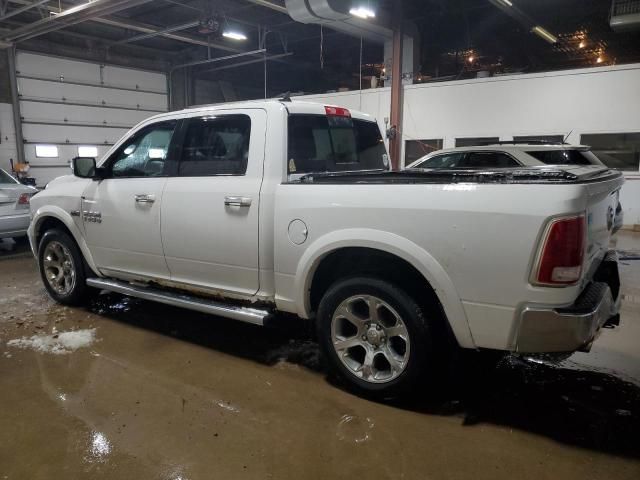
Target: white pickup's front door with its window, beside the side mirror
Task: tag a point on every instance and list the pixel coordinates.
(121, 214)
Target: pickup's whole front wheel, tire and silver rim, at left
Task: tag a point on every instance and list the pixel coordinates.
(62, 268)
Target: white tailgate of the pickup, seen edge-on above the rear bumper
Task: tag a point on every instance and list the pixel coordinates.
(603, 196)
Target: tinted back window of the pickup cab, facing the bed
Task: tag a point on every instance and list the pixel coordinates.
(320, 143)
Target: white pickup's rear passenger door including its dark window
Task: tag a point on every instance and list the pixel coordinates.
(209, 220)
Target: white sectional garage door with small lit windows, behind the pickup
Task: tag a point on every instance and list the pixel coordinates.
(74, 108)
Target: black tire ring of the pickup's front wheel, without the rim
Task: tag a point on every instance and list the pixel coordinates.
(79, 293)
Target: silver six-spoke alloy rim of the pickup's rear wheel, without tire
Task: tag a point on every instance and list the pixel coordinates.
(370, 338)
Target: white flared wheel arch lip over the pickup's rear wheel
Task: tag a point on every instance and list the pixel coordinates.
(389, 248)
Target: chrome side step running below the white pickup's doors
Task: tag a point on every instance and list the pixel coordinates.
(243, 314)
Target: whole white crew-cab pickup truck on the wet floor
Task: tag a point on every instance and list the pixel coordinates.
(250, 209)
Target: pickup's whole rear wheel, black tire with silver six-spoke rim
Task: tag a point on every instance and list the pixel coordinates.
(375, 337)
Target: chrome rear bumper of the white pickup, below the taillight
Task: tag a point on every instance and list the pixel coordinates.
(548, 329)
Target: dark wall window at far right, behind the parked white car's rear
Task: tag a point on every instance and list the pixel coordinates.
(615, 150)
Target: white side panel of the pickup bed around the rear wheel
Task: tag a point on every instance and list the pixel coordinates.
(475, 244)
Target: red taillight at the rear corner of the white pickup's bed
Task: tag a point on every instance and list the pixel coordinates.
(560, 262)
